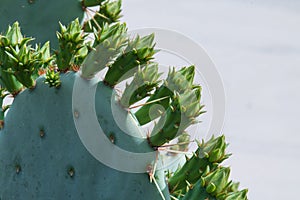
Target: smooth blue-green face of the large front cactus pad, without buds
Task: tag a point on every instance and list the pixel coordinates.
(43, 162)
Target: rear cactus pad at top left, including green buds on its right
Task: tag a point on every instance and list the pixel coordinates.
(39, 16)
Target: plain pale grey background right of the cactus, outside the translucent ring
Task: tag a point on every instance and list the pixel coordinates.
(255, 46)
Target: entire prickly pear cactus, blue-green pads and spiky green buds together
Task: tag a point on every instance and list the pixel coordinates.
(41, 153)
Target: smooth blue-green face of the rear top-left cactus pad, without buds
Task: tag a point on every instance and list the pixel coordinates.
(39, 18)
